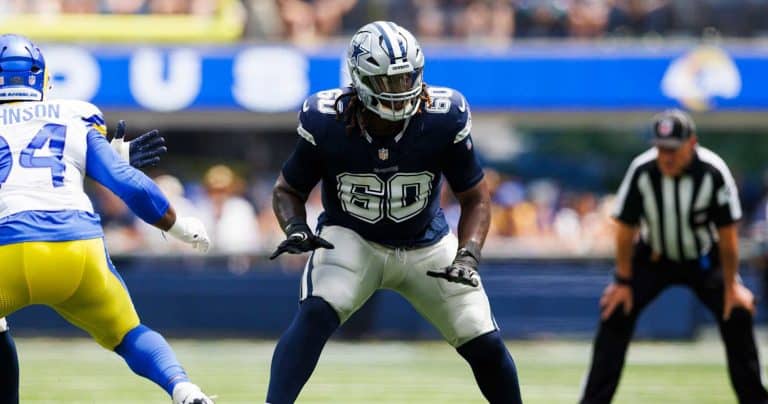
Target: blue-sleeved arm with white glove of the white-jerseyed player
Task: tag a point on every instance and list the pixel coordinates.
(139, 192)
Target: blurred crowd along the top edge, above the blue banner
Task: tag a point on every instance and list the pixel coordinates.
(309, 21)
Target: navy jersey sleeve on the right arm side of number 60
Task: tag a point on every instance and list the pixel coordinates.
(461, 165)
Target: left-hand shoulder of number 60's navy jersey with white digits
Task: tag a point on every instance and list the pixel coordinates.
(316, 113)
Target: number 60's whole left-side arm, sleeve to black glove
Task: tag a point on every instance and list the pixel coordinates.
(301, 172)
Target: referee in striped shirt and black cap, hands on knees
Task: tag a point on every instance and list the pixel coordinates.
(682, 200)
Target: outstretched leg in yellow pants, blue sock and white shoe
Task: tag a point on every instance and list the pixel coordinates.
(102, 307)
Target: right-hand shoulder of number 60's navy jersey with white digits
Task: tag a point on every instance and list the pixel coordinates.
(451, 110)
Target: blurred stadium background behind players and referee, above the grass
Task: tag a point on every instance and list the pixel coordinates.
(561, 93)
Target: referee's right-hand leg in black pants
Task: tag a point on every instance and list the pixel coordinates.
(738, 336)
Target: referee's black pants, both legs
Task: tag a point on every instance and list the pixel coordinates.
(649, 279)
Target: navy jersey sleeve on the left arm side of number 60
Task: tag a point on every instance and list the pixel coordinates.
(303, 169)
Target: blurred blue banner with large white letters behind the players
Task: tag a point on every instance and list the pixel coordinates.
(543, 77)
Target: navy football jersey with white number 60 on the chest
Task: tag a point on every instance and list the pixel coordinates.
(387, 189)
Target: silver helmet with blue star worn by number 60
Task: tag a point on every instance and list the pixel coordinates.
(386, 65)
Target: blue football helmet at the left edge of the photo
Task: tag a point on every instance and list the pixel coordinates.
(23, 76)
